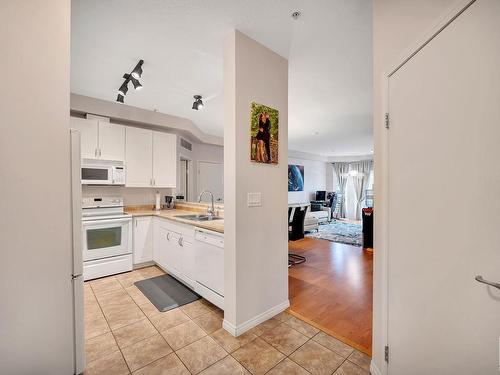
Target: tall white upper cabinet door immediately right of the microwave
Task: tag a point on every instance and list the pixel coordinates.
(138, 156)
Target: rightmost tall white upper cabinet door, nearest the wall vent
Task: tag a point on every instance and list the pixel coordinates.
(164, 160)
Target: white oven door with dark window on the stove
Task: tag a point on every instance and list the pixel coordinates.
(106, 238)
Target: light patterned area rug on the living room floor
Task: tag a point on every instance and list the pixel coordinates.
(339, 231)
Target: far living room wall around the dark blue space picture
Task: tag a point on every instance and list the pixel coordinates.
(315, 178)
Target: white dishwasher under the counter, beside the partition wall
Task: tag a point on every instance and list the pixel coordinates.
(209, 261)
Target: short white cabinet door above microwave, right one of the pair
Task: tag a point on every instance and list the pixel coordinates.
(111, 141)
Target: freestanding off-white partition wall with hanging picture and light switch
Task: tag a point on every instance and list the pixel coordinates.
(256, 240)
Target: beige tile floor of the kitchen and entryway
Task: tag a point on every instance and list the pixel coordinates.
(126, 334)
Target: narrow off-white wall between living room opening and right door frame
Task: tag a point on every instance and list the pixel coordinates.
(397, 25)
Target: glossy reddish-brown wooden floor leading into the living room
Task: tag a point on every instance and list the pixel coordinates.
(333, 290)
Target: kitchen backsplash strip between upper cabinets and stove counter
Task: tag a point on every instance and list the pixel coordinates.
(131, 196)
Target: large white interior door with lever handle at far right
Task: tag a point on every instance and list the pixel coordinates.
(444, 201)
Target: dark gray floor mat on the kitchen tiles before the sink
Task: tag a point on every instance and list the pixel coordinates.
(165, 292)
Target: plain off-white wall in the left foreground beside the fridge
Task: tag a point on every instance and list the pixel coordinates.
(35, 225)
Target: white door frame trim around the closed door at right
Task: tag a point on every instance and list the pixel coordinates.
(382, 194)
